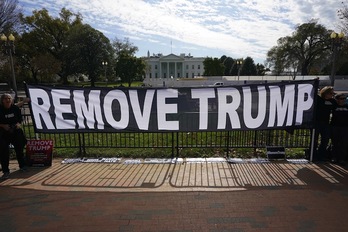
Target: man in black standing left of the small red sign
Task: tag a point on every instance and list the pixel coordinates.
(10, 133)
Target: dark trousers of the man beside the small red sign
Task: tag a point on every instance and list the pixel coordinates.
(18, 140)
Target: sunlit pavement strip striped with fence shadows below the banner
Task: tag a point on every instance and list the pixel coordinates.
(178, 176)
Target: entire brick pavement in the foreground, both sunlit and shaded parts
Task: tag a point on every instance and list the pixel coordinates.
(187, 196)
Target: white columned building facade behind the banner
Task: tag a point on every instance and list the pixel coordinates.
(173, 66)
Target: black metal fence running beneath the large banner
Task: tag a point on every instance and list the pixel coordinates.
(175, 141)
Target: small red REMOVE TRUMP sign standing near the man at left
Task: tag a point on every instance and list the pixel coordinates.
(39, 152)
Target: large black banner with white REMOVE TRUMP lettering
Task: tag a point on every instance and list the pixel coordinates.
(247, 107)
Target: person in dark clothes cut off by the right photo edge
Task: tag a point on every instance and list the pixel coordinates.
(339, 124)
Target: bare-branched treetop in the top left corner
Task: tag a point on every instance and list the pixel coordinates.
(9, 15)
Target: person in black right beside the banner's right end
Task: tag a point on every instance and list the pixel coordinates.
(325, 104)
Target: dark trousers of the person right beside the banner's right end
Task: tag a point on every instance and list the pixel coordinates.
(324, 130)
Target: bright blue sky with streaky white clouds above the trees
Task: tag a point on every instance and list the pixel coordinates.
(201, 28)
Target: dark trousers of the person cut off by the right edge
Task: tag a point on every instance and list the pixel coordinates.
(340, 143)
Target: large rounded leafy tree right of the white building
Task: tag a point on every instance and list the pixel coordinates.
(306, 48)
